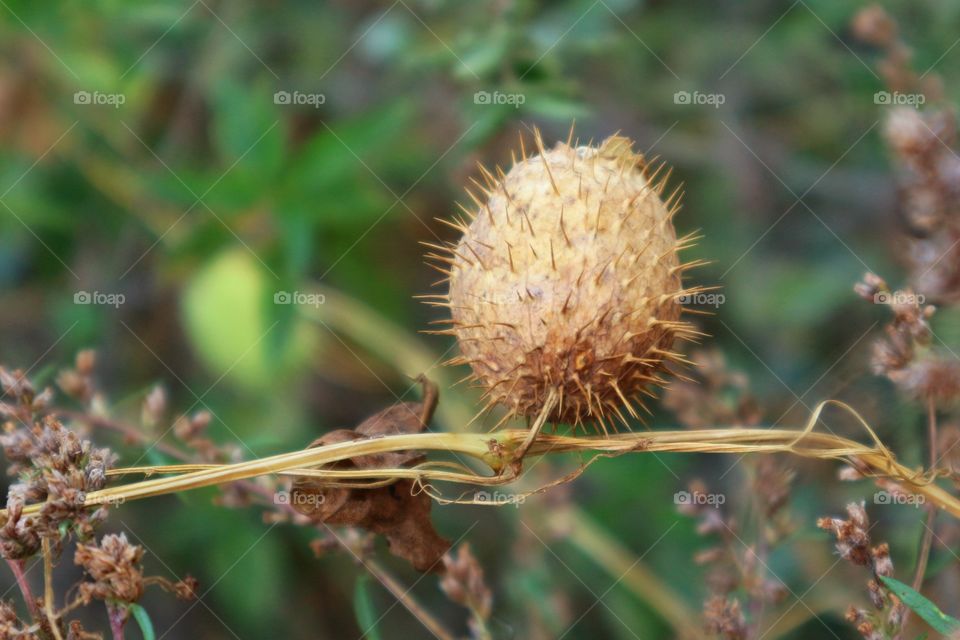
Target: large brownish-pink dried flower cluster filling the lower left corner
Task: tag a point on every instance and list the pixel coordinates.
(56, 468)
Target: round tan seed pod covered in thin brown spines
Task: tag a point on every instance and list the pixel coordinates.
(565, 288)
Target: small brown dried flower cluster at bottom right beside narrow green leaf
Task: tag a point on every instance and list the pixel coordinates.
(886, 620)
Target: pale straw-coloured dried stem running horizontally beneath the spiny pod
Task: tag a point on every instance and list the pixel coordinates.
(498, 451)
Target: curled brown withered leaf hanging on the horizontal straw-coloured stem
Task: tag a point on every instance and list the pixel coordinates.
(394, 510)
